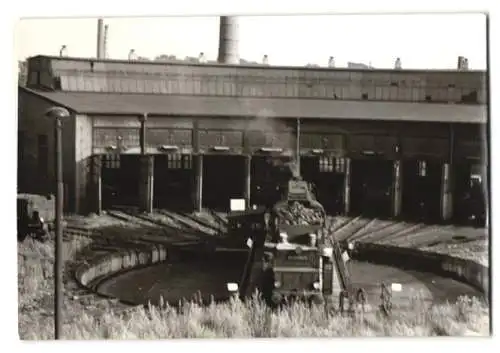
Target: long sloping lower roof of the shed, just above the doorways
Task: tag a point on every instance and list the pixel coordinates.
(155, 104)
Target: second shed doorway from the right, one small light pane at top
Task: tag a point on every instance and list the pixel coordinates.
(421, 198)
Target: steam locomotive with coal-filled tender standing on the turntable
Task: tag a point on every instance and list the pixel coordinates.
(303, 261)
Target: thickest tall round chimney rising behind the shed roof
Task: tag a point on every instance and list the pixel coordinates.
(228, 41)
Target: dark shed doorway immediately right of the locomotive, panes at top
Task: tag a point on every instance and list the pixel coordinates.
(327, 175)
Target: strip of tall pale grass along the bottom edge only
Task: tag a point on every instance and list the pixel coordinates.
(246, 320)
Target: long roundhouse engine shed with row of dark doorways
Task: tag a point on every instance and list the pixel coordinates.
(380, 143)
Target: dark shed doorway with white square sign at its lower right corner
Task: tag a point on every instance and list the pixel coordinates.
(223, 179)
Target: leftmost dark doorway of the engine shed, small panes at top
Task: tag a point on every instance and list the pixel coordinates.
(120, 180)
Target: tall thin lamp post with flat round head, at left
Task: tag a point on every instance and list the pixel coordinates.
(58, 114)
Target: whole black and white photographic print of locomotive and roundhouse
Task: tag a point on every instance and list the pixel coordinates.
(251, 176)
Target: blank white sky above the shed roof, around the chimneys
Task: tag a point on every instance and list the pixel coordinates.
(421, 41)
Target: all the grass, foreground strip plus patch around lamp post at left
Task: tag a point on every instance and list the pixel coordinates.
(91, 319)
